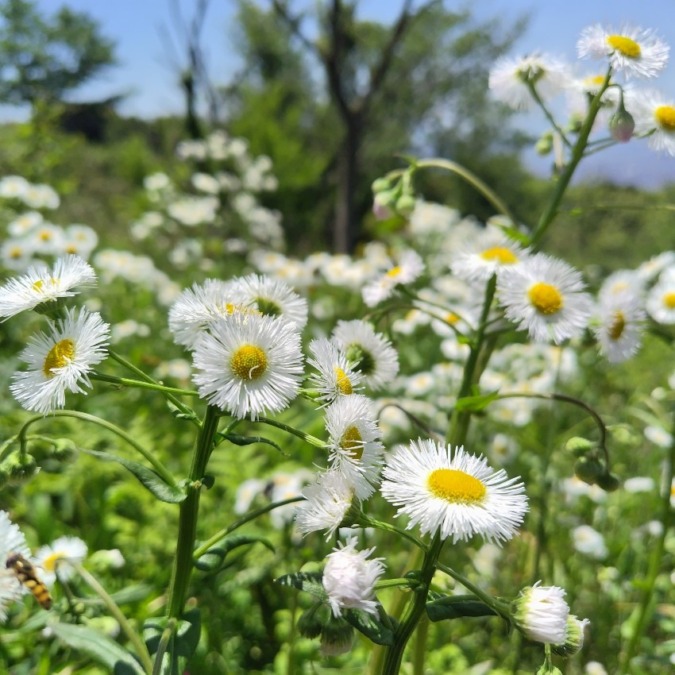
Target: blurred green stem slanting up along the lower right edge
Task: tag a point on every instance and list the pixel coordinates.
(646, 607)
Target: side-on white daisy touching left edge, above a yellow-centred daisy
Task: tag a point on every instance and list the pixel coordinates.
(41, 284)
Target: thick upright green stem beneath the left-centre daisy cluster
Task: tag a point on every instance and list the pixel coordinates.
(189, 510)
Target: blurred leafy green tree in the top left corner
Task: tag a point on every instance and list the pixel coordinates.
(41, 59)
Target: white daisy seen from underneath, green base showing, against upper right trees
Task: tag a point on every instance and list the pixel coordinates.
(511, 78)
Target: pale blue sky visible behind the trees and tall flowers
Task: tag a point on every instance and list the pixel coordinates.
(146, 72)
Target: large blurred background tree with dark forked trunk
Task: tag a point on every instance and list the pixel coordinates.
(370, 90)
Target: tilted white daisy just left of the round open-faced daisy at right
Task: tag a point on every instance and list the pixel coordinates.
(490, 253)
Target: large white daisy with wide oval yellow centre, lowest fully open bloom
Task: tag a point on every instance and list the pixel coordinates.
(453, 493)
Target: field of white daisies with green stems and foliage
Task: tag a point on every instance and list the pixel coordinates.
(224, 450)
